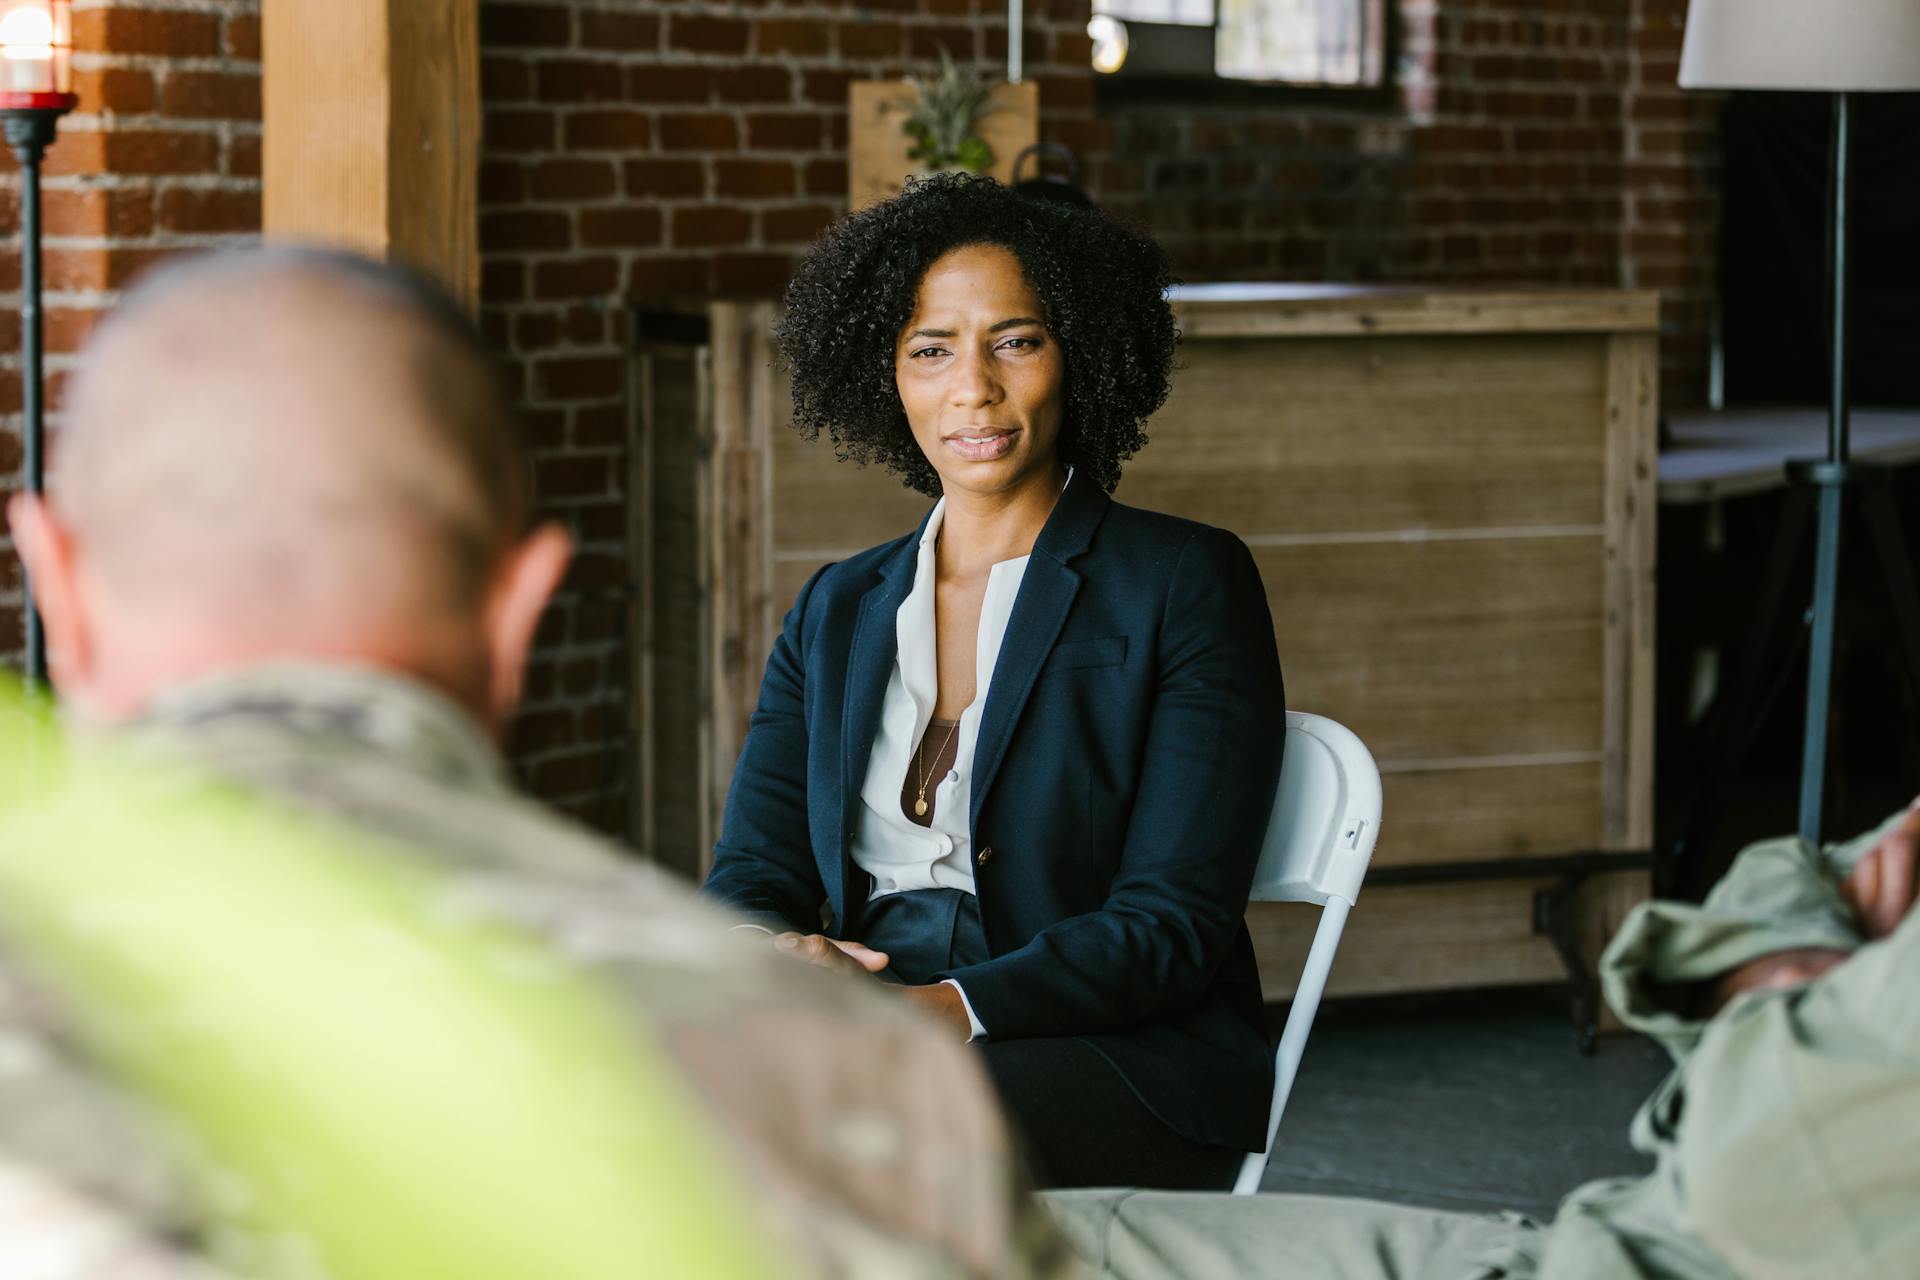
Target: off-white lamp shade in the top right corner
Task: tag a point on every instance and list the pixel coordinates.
(1812, 45)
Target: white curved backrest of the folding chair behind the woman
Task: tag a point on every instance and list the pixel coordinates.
(1326, 817)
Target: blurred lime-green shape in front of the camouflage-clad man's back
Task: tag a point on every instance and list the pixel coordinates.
(389, 1089)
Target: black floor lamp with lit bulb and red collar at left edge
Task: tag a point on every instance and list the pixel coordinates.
(36, 91)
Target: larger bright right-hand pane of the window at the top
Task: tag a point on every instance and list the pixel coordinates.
(1299, 41)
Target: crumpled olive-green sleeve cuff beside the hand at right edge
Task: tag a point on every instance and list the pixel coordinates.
(1781, 895)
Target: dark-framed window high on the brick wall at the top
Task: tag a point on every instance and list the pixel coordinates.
(1285, 43)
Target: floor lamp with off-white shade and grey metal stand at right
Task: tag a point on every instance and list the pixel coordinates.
(1840, 49)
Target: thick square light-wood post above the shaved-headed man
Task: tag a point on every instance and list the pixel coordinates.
(373, 131)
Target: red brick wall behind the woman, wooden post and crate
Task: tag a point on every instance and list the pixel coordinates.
(686, 147)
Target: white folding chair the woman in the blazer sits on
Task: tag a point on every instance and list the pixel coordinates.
(1326, 818)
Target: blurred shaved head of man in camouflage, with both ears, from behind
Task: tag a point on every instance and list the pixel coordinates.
(287, 456)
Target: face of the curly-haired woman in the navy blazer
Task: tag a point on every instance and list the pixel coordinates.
(980, 377)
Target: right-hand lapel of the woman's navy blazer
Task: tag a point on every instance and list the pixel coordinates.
(1042, 609)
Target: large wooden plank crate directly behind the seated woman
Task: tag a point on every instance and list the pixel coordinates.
(1451, 500)
